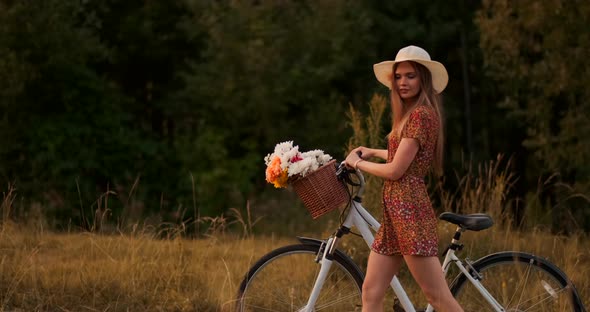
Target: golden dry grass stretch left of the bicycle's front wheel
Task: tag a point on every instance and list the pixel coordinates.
(138, 272)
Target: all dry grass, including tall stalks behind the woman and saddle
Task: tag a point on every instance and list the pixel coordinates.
(154, 268)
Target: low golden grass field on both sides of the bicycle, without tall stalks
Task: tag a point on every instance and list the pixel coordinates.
(42, 271)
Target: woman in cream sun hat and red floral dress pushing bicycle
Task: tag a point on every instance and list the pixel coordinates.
(415, 146)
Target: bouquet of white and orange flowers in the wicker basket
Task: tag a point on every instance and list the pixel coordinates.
(287, 162)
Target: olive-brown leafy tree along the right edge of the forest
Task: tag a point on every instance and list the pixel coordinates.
(537, 52)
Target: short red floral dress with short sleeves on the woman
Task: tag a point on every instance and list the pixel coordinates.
(409, 225)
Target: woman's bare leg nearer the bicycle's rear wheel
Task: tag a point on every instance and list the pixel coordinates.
(428, 274)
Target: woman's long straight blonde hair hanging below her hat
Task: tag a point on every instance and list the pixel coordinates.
(427, 97)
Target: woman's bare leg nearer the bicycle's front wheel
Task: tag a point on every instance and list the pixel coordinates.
(380, 271)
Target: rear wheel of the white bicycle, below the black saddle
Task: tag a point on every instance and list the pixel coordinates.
(519, 282)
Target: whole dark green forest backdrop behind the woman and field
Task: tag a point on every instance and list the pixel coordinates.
(127, 110)
